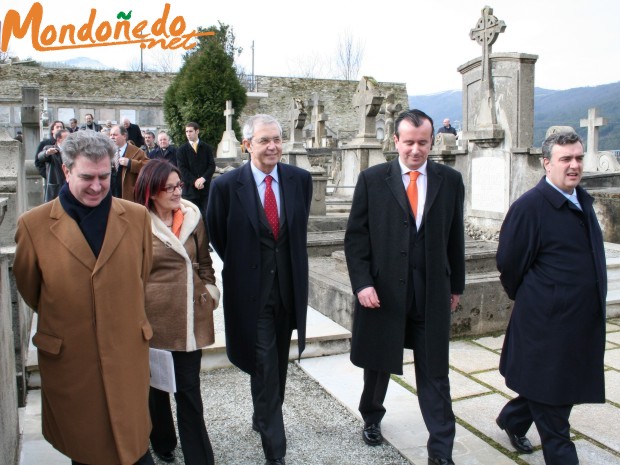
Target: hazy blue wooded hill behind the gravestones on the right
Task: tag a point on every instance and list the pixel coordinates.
(551, 108)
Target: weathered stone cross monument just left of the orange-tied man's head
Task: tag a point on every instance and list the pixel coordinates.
(365, 149)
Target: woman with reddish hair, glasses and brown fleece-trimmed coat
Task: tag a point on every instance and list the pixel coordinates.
(180, 298)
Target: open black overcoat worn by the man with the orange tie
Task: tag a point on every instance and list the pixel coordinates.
(381, 251)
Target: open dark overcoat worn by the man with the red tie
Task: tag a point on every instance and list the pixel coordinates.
(233, 218)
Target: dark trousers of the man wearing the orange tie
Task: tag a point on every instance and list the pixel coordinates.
(433, 397)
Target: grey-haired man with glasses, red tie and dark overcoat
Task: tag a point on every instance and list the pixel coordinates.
(258, 221)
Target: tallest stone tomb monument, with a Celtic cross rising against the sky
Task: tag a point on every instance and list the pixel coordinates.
(498, 127)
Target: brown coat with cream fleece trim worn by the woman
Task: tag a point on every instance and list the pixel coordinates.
(181, 292)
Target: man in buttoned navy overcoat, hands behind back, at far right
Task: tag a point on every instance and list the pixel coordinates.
(552, 263)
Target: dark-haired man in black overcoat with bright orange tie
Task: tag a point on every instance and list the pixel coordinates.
(404, 246)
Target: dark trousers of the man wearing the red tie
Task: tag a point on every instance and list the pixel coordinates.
(268, 383)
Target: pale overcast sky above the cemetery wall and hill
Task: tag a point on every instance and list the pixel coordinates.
(421, 43)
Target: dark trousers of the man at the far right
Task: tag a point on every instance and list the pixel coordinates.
(551, 422)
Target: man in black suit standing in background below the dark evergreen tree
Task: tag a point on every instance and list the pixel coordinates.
(197, 165)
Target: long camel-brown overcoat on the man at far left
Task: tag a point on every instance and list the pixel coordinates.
(92, 334)
